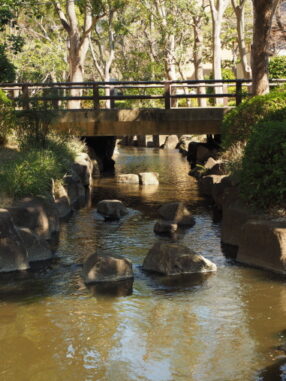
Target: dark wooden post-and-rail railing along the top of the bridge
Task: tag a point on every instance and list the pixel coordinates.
(89, 94)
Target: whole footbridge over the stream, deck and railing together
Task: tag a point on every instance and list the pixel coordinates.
(124, 108)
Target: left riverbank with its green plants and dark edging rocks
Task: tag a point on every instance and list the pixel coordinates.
(34, 202)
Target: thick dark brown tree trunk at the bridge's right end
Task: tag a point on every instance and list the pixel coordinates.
(263, 15)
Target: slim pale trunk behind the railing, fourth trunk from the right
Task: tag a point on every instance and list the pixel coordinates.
(198, 57)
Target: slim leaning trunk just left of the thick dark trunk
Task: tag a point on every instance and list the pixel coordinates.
(239, 13)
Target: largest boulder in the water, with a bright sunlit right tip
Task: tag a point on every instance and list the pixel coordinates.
(175, 259)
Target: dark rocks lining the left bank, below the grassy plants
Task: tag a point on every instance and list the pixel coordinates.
(29, 230)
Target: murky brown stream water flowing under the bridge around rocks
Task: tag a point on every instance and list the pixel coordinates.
(226, 326)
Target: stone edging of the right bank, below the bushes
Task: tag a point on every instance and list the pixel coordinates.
(249, 235)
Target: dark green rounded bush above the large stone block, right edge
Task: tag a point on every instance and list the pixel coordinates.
(263, 180)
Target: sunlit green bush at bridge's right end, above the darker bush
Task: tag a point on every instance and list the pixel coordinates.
(240, 122)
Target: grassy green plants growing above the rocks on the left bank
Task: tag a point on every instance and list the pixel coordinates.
(32, 171)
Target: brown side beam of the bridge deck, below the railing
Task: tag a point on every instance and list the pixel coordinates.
(119, 122)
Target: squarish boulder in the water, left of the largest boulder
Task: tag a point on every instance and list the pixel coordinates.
(106, 268)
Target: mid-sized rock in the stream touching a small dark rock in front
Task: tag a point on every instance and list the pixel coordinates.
(178, 213)
